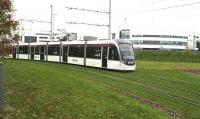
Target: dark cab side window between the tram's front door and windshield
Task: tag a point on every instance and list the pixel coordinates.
(113, 53)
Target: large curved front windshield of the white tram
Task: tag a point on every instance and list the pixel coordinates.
(126, 51)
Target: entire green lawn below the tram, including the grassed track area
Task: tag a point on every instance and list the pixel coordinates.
(51, 90)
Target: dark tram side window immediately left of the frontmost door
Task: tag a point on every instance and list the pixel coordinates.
(94, 52)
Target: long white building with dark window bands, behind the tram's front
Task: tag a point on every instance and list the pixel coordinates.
(160, 42)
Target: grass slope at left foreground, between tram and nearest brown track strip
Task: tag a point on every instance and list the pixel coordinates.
(50, 90)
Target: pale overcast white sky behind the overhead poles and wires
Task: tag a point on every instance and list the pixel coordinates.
(175, 17)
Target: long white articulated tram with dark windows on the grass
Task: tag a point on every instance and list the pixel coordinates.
(109, 54)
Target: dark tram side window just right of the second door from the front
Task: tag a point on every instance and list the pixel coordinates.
(76, 51)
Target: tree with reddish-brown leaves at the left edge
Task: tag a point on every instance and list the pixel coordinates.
(8, 28)
